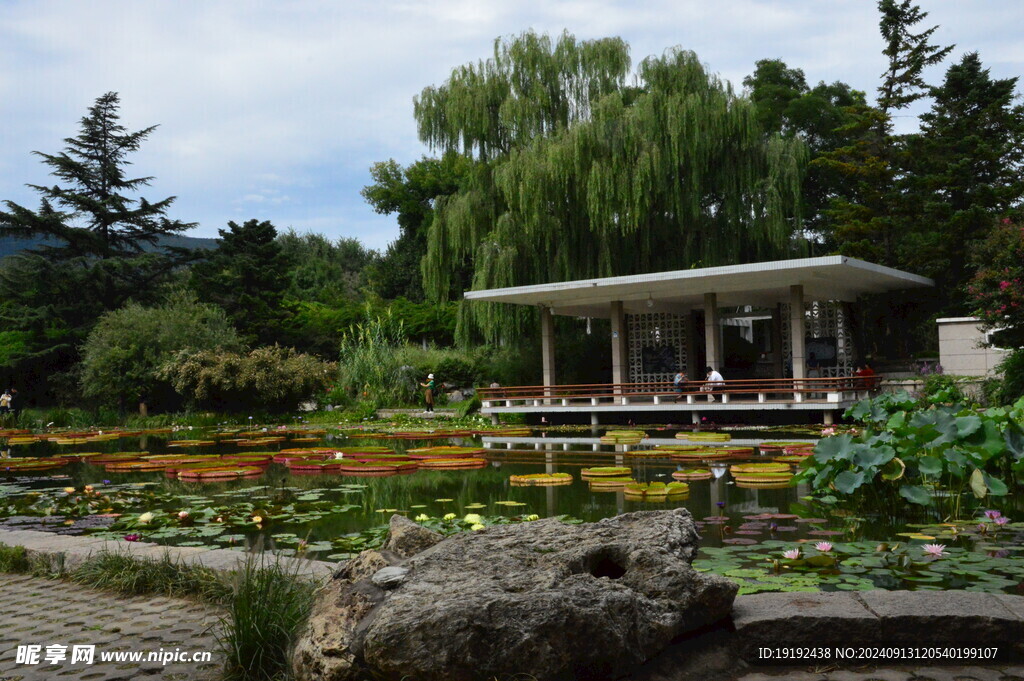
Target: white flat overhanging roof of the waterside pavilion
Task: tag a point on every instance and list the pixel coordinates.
(760, 284)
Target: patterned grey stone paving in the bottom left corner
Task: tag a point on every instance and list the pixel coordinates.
(52, 613)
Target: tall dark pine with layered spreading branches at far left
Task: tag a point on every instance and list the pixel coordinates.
(99, 246)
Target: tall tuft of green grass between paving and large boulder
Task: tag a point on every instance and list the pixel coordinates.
(269, 606)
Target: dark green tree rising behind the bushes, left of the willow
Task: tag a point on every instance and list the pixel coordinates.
(247, 275)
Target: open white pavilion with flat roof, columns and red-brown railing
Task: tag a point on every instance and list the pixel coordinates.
(794, 315)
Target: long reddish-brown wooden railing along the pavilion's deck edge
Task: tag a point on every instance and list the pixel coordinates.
(660, 393)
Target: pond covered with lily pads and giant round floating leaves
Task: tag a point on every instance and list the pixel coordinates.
(328, 494)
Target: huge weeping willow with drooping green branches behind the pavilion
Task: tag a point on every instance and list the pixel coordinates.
(580, 175)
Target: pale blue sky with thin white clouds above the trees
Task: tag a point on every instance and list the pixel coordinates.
(277, 111)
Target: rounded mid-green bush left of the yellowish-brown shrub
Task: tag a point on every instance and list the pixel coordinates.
(125, 351)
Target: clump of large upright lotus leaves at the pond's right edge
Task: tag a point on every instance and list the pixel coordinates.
(926, 455)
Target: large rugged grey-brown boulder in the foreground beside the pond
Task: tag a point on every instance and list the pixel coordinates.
(541, 600)
